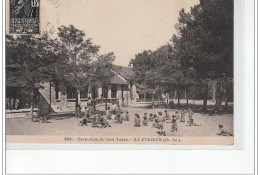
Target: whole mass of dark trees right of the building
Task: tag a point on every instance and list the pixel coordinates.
(201, 51)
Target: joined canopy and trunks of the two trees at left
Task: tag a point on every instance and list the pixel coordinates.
(71, 60)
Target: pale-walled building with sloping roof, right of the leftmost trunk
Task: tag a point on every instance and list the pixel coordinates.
(120, 90)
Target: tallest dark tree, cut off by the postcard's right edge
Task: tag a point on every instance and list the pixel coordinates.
(205, 41)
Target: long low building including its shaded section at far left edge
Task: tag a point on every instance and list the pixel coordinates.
(120, 90)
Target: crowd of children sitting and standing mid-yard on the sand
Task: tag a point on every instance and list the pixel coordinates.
(117, 114)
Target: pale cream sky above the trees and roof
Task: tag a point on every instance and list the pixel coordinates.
(125, 27)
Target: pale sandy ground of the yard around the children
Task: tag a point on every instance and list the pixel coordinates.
(70, 126)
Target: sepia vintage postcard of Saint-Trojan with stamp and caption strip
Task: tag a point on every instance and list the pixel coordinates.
(119, 72)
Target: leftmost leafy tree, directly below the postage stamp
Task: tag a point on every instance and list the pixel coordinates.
(32, 59)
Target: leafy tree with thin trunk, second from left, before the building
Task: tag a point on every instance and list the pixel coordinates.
(82, 66)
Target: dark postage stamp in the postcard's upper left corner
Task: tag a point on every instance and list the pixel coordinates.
(24, 16)
